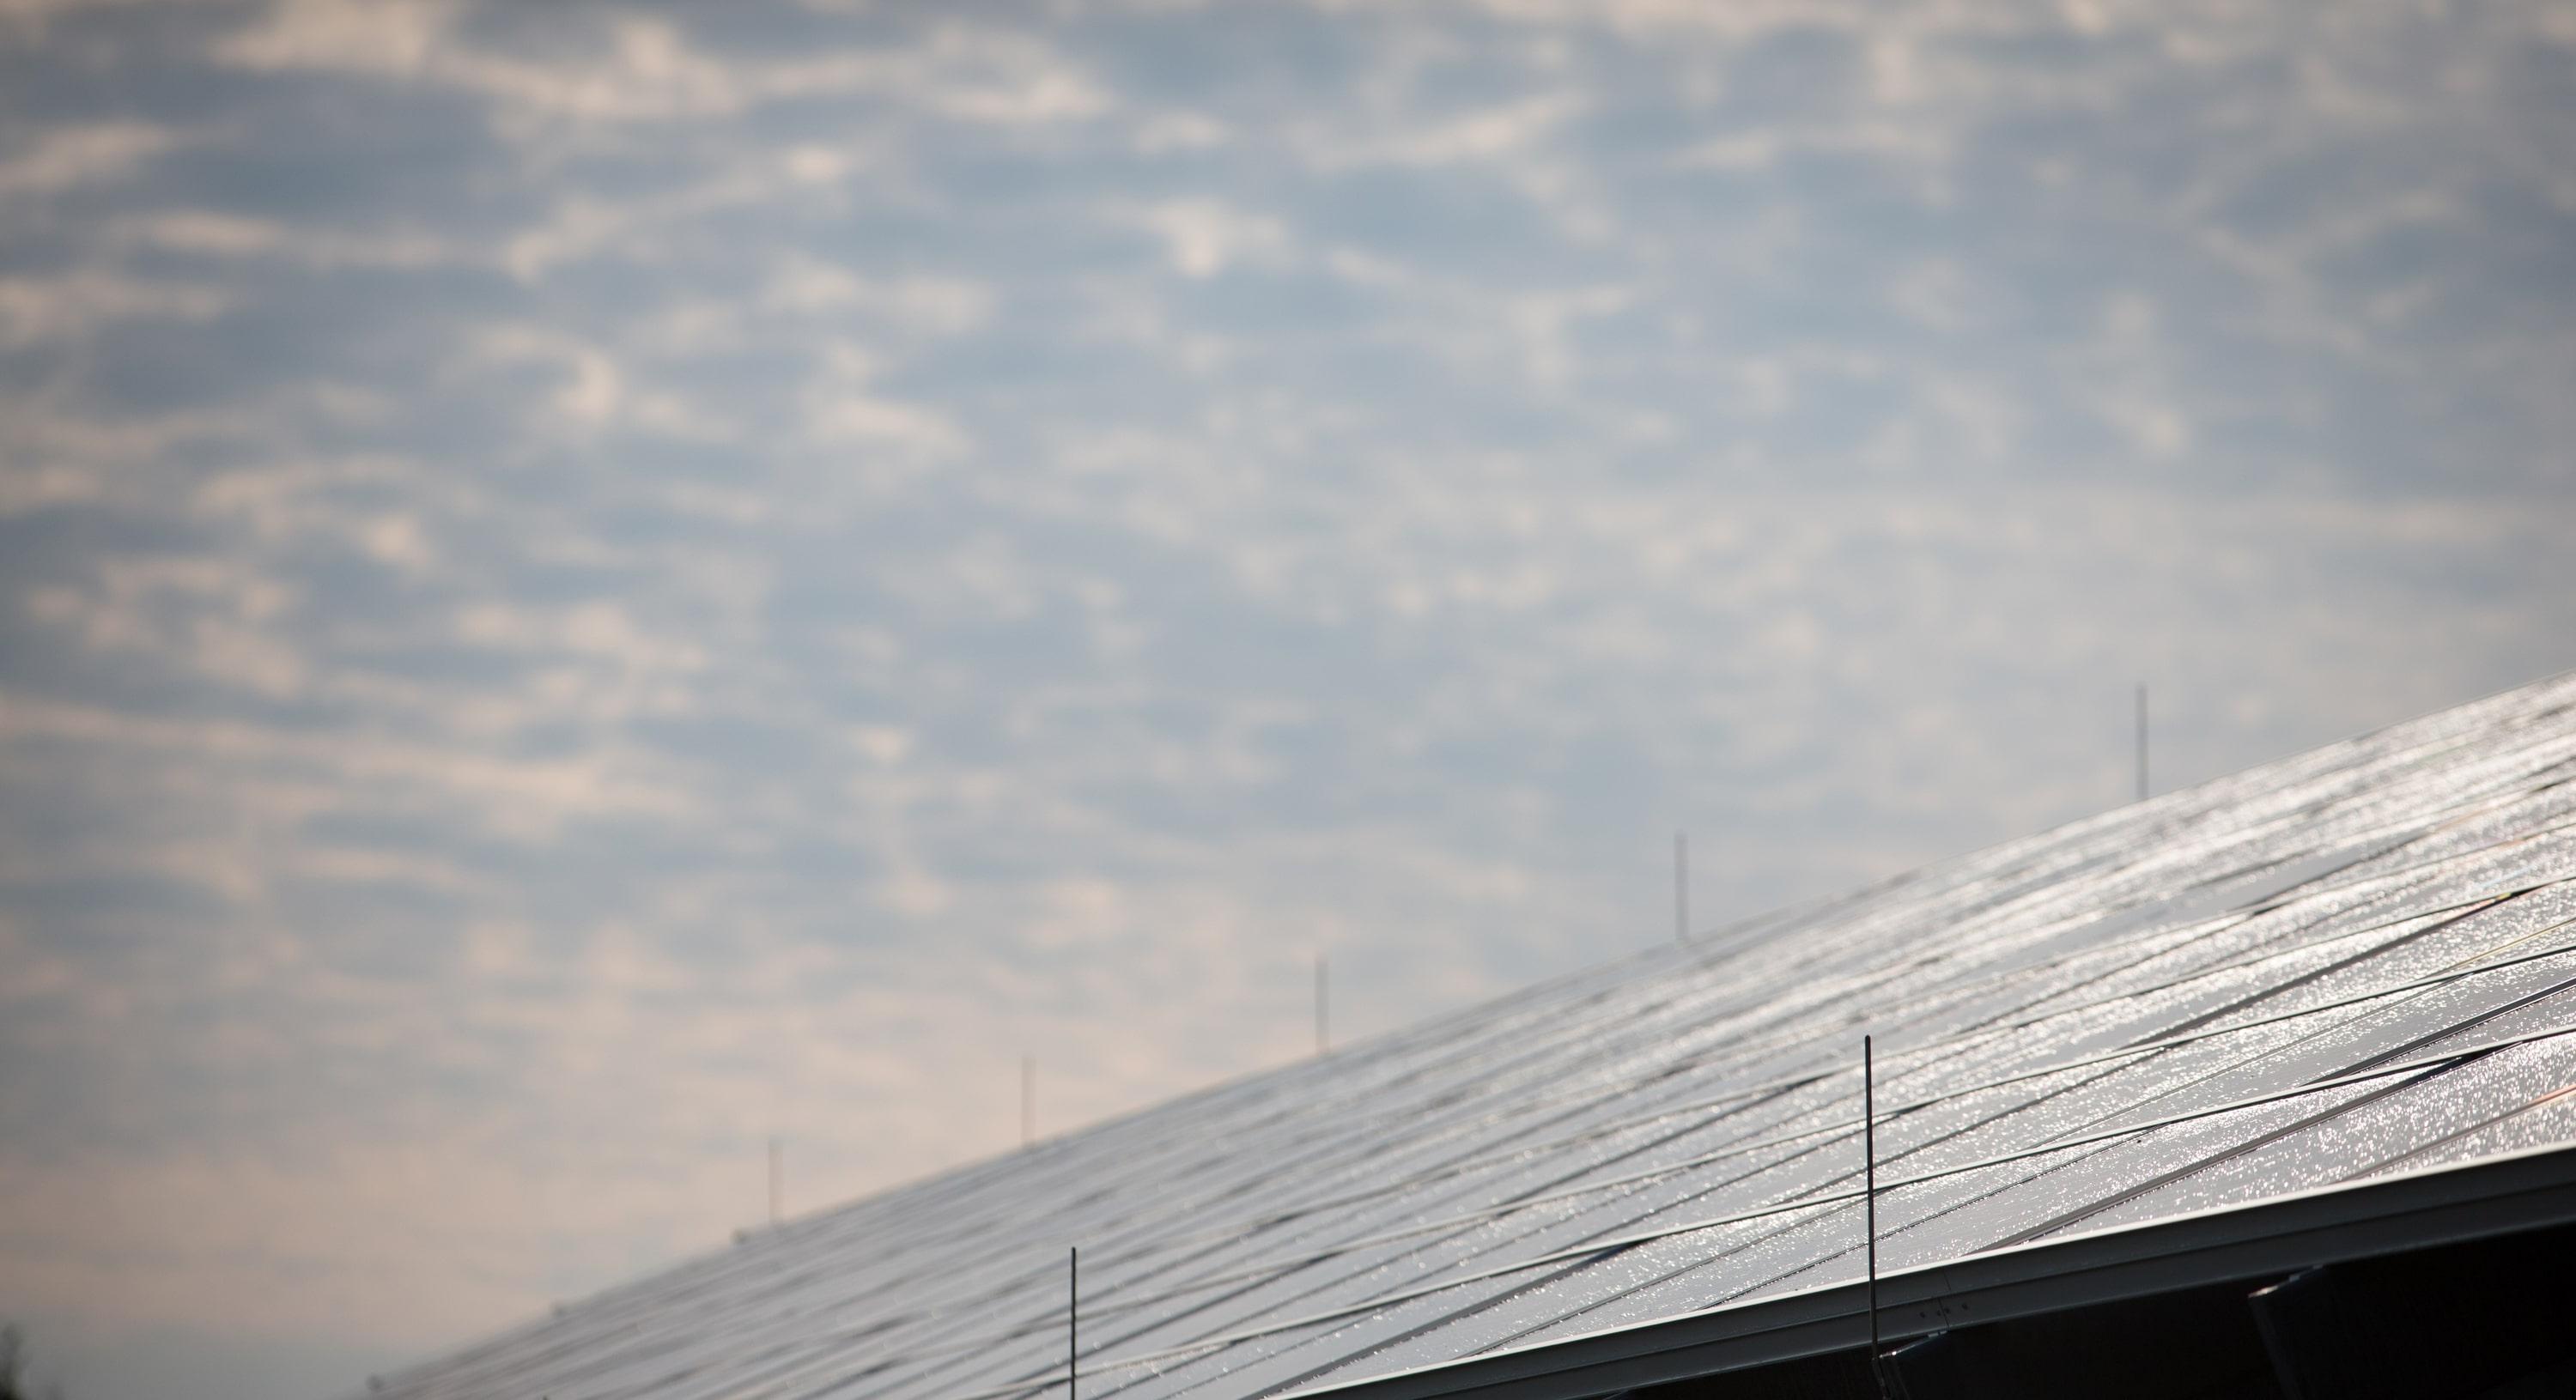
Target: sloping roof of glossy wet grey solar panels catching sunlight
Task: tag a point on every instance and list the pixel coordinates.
(2330, 969)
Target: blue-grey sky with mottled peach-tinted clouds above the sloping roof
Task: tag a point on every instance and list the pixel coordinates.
(589, 585)
